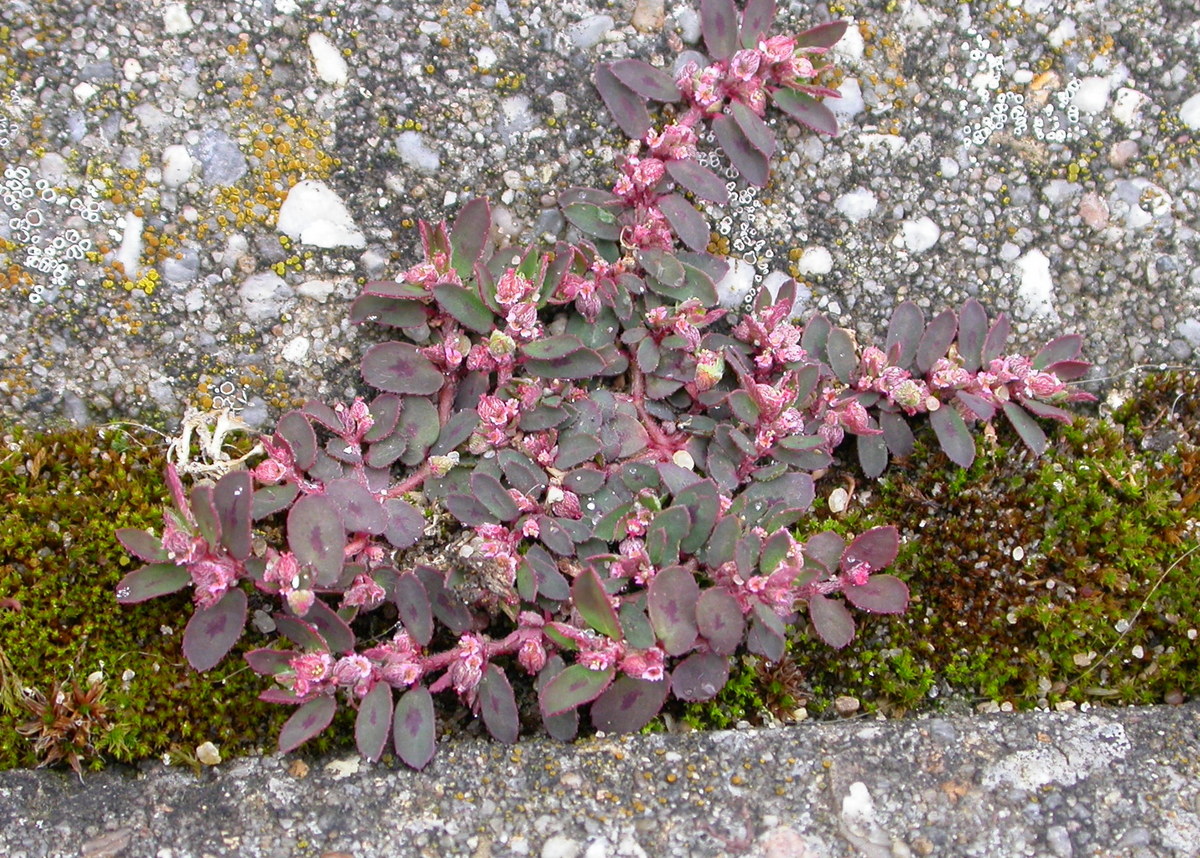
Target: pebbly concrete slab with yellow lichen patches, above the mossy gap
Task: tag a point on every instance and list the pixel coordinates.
(1041, 157)
